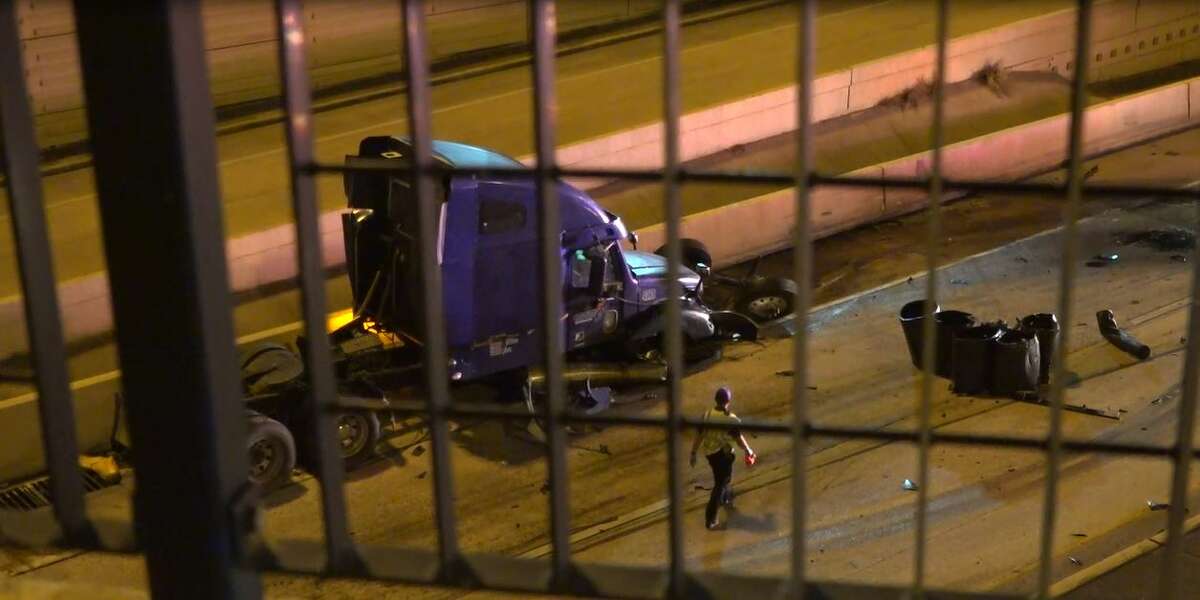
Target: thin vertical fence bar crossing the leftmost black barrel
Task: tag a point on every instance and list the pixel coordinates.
(933, 247)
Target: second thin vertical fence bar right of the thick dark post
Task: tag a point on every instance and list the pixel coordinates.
(436, 356)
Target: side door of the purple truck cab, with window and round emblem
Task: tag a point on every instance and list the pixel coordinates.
(593, 296)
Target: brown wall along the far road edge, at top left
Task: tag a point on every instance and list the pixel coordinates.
(349, 40)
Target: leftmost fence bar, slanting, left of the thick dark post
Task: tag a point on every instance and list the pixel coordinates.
(40, 295)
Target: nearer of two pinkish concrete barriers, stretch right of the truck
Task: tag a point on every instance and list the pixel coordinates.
(742, 231)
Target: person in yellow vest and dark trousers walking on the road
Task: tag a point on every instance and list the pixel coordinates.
(718, 447)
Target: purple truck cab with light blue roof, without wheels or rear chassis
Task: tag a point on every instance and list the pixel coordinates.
(489, 254)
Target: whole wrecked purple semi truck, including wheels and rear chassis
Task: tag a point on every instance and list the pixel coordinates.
(614, 303)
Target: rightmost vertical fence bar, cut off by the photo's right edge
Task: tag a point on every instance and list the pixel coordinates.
(1184, 443)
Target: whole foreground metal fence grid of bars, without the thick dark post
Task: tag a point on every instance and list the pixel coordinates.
(340, 556)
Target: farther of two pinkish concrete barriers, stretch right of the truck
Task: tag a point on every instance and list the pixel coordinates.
(1130, 37)
